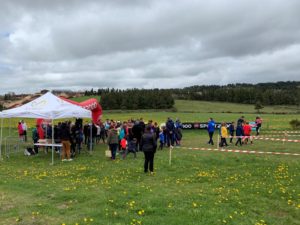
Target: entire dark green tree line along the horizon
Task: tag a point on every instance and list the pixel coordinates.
(279, 93)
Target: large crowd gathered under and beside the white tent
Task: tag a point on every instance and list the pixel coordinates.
(124, 138)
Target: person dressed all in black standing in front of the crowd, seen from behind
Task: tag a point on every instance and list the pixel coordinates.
(148, 146)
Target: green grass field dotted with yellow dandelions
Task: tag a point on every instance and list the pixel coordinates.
(199, 187)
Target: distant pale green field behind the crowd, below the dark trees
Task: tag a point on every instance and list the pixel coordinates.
(198, 111)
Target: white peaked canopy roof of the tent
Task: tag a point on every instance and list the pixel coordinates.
(47, 106)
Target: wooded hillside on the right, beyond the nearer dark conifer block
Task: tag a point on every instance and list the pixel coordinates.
(279, 93)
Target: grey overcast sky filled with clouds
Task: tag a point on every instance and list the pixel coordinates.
(83, 44)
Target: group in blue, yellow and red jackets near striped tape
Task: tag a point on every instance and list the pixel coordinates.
(241, 131)
